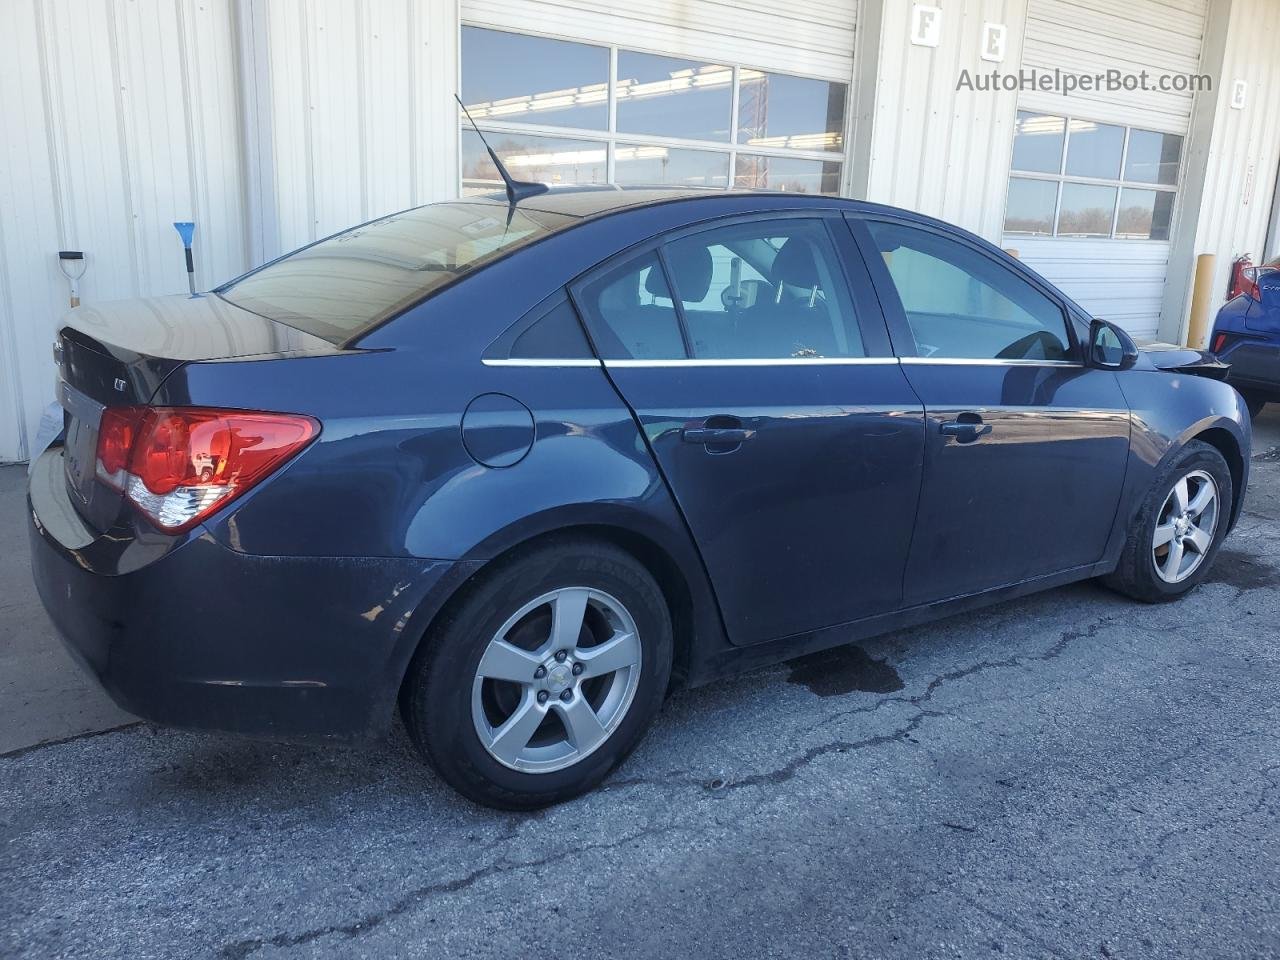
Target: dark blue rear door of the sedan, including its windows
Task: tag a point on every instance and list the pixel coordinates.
(767, 391)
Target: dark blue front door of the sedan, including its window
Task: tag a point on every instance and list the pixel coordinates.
(1026, 447)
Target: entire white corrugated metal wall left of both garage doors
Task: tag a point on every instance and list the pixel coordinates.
(122, 117)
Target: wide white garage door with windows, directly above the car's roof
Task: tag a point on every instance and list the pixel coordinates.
(682, 93)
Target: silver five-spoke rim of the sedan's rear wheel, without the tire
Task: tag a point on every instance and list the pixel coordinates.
(556, 680)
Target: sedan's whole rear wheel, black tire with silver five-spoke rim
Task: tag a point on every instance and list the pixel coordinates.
(501, 715)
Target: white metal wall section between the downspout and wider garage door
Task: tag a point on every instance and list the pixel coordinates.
(363, 117)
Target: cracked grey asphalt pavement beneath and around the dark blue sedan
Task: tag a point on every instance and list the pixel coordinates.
(1071, 775)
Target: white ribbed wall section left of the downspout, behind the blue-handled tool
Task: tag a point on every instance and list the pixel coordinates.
(120, 118)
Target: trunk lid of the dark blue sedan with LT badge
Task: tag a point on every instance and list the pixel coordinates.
(118, 354)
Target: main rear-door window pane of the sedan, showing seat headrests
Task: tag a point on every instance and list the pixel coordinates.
(770, 290)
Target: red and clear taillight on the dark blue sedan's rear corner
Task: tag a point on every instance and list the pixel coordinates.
(181, 464)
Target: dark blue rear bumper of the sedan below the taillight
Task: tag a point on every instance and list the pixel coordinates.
(189, 633)
